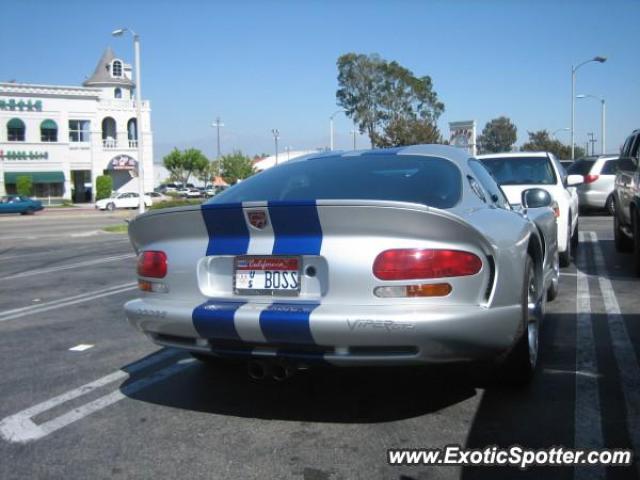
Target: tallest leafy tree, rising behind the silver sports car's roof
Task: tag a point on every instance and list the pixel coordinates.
(387, 101)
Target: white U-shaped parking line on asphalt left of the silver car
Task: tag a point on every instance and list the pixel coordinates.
(20, 428)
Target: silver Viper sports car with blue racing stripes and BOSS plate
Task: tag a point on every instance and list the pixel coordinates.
(392, 257)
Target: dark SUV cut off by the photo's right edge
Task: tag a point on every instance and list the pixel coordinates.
(626, 198)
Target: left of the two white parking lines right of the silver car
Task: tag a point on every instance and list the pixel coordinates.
(588, 423)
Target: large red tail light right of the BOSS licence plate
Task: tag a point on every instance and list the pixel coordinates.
(407, 264)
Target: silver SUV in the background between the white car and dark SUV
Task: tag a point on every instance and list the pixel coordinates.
(599, 177)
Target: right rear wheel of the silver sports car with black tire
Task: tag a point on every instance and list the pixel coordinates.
(519, 365)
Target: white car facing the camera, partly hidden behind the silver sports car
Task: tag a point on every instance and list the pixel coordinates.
(517, 172)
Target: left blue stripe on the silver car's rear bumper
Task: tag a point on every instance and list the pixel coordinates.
(214, 319)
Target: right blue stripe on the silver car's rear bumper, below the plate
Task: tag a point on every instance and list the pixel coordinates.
(287, 323)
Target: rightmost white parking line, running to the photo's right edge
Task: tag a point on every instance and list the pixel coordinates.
(623, 350)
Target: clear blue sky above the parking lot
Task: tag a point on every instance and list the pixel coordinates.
(267, 64)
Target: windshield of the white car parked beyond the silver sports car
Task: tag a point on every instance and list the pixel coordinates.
(521, 170)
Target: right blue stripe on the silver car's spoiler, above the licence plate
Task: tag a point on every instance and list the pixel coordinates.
(296, 227)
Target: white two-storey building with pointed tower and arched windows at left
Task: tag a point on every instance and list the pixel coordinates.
(64, 137)
